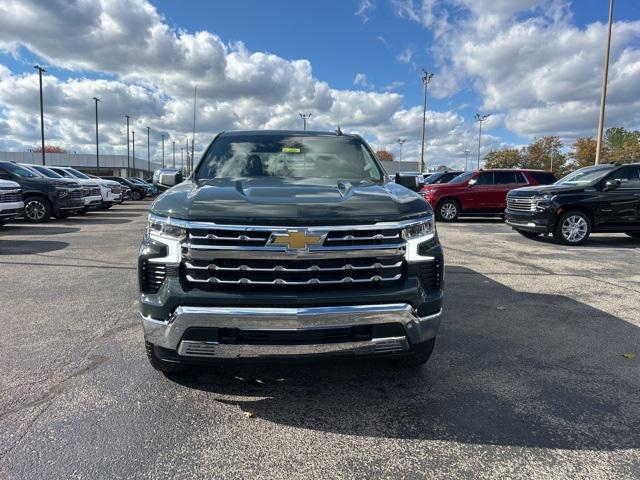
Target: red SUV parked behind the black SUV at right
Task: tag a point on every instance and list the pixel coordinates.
(482, 192)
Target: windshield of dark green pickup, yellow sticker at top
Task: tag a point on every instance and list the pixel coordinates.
(291, 157)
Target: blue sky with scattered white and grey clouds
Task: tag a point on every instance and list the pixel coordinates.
(469, 44)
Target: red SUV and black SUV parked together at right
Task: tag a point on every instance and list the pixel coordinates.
(597, 199)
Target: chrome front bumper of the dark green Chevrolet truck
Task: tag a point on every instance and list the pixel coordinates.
(168, 333)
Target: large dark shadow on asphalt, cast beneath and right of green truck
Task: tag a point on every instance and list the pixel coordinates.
(510, 368)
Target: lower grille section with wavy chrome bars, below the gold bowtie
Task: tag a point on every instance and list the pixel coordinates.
(294, 272)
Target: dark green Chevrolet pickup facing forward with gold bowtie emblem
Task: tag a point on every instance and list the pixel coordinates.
(298, 247)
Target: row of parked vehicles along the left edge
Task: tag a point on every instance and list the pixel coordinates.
(37, 192)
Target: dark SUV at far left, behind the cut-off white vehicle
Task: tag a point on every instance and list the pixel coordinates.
(42, 196)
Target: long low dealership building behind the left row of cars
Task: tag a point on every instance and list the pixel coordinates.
(115, 165)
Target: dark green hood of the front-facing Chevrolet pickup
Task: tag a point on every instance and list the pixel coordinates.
(270, 200)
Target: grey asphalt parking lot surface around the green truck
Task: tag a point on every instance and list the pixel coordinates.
(528, 379)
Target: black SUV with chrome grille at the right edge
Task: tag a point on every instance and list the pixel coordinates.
(602, 198)
